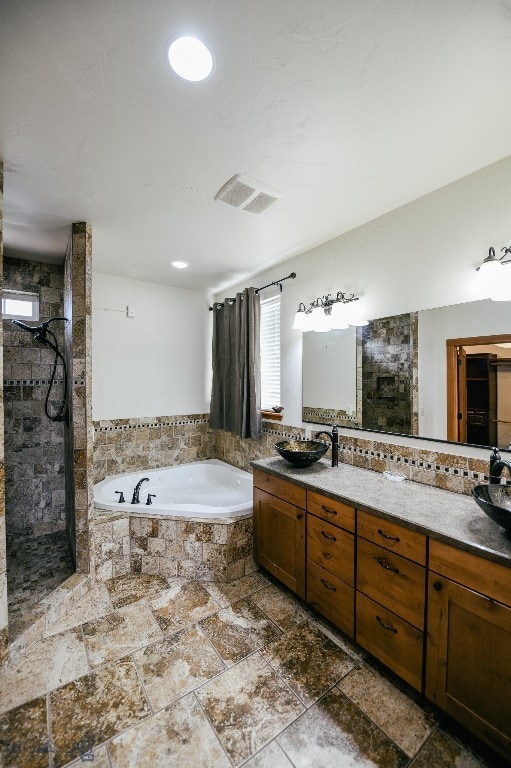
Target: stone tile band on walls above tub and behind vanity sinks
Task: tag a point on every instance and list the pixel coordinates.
(133, 444)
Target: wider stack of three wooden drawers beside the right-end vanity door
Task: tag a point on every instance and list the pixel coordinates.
(390, 596)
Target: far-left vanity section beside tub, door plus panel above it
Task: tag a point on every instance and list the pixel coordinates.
(279, 529)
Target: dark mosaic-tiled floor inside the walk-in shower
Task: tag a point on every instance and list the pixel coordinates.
(35, 567)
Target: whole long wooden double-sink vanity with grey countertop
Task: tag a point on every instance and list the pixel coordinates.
(417, 576)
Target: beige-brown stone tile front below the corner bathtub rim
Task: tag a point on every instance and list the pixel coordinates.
(217, 550)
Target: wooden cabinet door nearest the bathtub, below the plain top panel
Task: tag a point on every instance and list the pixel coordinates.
(279, 539)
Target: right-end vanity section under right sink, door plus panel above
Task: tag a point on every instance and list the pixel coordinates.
(468, 658)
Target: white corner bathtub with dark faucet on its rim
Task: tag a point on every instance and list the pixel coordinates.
(203, 489)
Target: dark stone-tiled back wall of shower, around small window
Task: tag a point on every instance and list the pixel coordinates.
(34, 445)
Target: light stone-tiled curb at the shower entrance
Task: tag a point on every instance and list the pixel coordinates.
(52, 608)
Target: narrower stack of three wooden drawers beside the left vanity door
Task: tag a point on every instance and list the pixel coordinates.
(331, 560)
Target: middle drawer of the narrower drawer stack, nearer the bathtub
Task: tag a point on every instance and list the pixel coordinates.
(331, 548)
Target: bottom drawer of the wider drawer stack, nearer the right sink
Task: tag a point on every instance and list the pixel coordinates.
(392, 640)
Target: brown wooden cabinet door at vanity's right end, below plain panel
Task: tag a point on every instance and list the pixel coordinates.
(468, 668)
